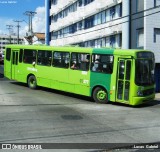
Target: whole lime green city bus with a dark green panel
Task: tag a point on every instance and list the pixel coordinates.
(105, 74)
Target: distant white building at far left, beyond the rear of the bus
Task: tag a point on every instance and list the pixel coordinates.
(5, 39)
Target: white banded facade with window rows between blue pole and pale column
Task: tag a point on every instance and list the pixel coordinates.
(86, 22)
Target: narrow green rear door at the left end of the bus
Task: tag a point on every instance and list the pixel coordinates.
(14, 64)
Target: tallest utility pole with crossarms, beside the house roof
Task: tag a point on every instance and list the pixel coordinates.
(30, 35)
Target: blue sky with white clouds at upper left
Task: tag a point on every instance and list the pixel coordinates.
(11, 10)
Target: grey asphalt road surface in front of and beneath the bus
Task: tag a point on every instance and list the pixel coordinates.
(49, 116)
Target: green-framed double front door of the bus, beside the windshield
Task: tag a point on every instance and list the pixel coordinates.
(123, 80)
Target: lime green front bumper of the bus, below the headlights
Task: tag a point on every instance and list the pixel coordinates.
(142, 100)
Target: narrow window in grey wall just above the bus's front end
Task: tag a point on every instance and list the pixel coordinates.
(140, 38)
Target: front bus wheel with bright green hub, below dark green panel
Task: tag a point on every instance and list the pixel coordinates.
(100, 95)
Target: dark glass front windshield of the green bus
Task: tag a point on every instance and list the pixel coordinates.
(144, 72)
